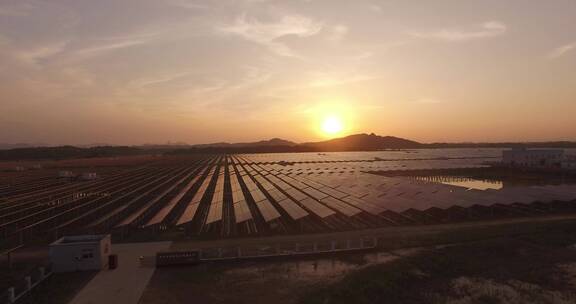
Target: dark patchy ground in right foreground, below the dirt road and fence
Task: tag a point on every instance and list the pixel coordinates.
(502, 262)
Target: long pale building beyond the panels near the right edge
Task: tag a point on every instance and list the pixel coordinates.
(533, 158)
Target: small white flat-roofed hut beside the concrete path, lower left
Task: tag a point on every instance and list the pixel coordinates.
(82, 252)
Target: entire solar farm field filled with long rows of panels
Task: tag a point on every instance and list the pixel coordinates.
(251, 195)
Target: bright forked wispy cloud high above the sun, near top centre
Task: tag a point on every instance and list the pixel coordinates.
(267, 34)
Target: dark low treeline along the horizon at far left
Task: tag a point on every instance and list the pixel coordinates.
(67, 152)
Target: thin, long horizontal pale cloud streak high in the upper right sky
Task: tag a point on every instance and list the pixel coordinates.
(487, 30)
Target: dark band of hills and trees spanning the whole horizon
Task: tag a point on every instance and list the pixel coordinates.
(357, 142)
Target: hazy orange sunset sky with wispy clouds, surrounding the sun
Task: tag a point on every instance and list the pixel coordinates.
(80, 72)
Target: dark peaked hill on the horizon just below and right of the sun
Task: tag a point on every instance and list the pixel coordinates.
(363, 142)
